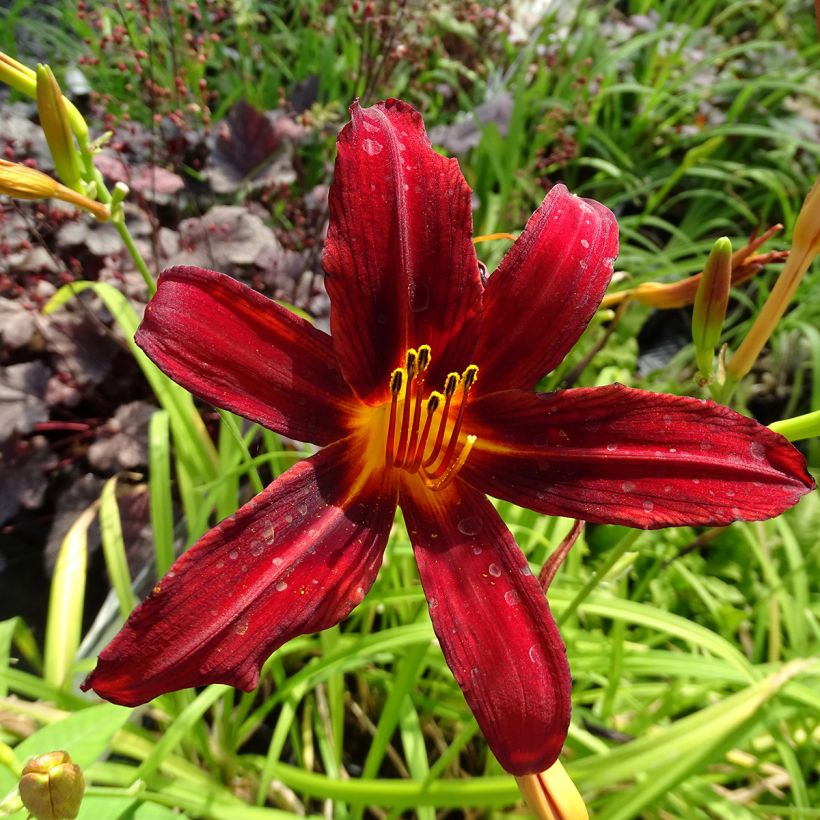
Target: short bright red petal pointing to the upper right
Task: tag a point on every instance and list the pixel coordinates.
(545, 291)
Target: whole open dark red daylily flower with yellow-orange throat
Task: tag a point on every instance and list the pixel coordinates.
(423, 397)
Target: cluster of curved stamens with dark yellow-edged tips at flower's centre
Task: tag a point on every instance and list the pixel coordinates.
(428, 446)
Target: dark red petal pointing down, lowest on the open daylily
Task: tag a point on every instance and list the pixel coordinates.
(493, 623)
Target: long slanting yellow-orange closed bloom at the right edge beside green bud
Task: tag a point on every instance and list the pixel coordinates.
(805, 246)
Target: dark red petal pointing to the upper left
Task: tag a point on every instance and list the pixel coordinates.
(239, 350)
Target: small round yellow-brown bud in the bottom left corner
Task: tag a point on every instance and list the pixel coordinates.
(52, 787)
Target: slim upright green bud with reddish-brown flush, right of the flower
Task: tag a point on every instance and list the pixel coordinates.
(711, 300)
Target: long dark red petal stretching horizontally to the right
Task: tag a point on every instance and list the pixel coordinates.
(623, 456)
